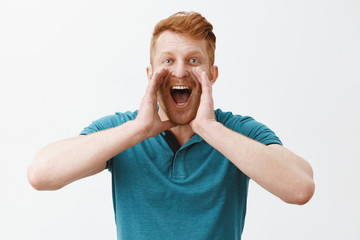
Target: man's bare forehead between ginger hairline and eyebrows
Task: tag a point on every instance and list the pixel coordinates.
(176, 43)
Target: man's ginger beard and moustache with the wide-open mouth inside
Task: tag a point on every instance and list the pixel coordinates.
(180, 106)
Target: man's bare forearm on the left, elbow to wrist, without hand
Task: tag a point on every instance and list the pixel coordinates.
(63, 162)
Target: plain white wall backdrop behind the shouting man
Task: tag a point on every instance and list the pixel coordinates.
(293, 65)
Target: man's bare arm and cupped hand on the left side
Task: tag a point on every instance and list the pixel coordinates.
(63, 162)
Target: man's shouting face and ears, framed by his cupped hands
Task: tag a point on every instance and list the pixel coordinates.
(179, 95)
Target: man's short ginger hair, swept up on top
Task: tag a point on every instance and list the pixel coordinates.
(190, 24)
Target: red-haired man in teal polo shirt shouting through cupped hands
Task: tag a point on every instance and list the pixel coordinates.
(180, 170)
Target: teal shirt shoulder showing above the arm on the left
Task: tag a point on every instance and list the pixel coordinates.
(109, 121)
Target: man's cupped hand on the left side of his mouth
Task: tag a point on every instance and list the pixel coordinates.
(148, 118)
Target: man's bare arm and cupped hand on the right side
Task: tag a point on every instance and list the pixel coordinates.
(275, 168)
